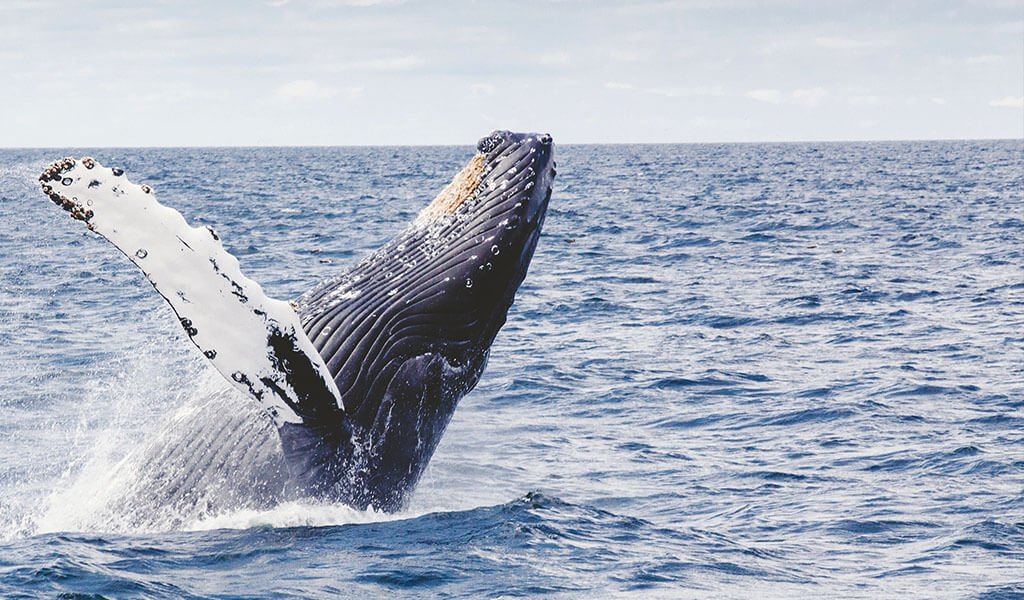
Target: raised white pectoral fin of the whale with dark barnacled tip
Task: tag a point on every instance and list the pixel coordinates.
(226, 315)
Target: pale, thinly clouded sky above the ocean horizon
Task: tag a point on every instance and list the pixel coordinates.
(188, 73)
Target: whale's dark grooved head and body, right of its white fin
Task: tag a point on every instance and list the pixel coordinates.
(407, 333)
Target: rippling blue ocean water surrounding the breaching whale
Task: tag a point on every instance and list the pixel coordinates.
(735, 371)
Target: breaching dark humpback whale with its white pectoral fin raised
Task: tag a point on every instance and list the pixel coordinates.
(362, 374)
